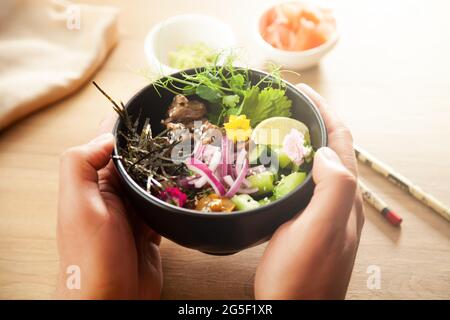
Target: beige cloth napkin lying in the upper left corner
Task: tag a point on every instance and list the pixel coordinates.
(48, 49)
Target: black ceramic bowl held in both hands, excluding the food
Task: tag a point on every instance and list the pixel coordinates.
(215, 233)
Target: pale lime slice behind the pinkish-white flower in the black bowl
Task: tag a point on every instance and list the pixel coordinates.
(273, 130)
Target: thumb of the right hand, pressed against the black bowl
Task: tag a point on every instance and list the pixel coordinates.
(334, 192)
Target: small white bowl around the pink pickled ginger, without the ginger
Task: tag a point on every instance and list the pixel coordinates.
(294, 60)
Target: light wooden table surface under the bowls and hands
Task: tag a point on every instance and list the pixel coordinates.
(389, 79)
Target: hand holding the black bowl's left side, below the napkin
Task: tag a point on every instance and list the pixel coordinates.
(117, 254)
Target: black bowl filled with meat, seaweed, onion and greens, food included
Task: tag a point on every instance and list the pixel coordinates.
(203, 207)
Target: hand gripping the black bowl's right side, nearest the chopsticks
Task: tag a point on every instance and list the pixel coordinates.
(312, 255)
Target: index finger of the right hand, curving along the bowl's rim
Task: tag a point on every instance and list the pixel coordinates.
(339, 137)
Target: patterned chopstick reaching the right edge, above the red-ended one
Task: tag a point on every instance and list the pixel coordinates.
(402, 182)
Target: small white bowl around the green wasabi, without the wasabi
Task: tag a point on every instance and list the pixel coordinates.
(181, 30)
